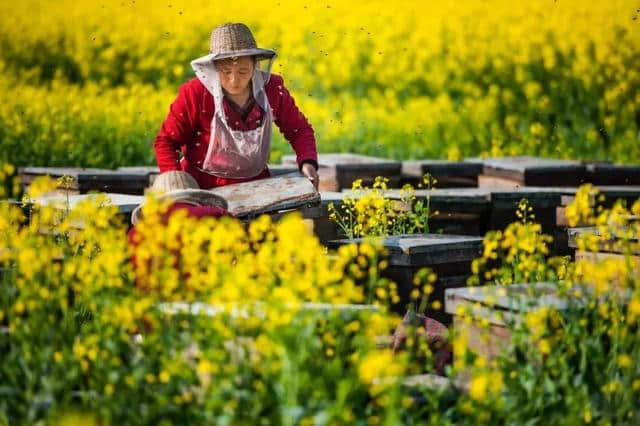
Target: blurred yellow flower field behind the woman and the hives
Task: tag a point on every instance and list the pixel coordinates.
(89, 83)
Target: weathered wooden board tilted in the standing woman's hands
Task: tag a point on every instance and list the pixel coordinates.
(267, 195)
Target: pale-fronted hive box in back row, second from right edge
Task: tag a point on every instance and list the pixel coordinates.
(513, 172)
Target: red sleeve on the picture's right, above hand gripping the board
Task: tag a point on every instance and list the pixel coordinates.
(292, 123)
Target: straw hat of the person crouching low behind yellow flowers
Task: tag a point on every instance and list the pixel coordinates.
(180, 187)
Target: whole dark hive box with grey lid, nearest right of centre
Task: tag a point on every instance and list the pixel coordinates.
(449, 256)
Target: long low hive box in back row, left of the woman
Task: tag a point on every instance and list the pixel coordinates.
(85, 180)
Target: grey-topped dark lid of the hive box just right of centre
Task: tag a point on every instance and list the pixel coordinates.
(424, 249)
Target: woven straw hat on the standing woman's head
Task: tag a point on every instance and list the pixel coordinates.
(235, 39)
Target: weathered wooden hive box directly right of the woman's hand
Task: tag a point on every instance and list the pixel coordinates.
(339, 170)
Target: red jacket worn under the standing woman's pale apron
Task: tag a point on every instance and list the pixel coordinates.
(187, 129)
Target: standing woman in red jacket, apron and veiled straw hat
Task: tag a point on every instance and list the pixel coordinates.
(221, 120)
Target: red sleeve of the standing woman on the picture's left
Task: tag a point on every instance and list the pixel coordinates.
(177, 129)
